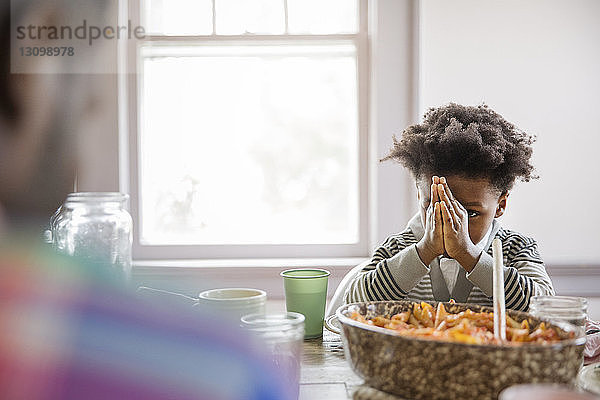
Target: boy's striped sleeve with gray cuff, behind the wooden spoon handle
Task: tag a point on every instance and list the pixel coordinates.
(524, 274)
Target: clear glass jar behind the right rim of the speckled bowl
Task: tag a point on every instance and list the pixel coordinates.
(560, 308)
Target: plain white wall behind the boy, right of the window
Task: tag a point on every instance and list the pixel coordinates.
(537, 63)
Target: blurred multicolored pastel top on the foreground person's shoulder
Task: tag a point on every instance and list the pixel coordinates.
(69, 332)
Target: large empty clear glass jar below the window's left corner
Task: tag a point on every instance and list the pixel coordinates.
(95, 226)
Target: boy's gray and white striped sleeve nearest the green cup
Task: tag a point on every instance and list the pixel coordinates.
(393, 271)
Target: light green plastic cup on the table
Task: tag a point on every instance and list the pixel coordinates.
(305, 293)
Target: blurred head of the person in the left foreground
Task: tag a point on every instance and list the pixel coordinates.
(37, 147)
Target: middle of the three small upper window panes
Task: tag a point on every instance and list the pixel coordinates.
(236, 17)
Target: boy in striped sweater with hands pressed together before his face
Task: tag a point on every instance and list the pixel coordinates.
(464, 160)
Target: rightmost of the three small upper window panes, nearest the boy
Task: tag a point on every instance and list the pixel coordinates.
(323, 16)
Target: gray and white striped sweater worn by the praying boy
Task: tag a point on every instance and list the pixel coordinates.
(396, 272)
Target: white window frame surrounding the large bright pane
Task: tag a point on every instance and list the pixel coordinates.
(129, 145)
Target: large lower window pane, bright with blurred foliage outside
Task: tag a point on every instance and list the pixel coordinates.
(249, 145)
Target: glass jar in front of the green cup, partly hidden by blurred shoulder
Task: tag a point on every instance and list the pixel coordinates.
(280, 337)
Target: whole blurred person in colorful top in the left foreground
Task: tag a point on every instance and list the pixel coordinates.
(69, 331)
